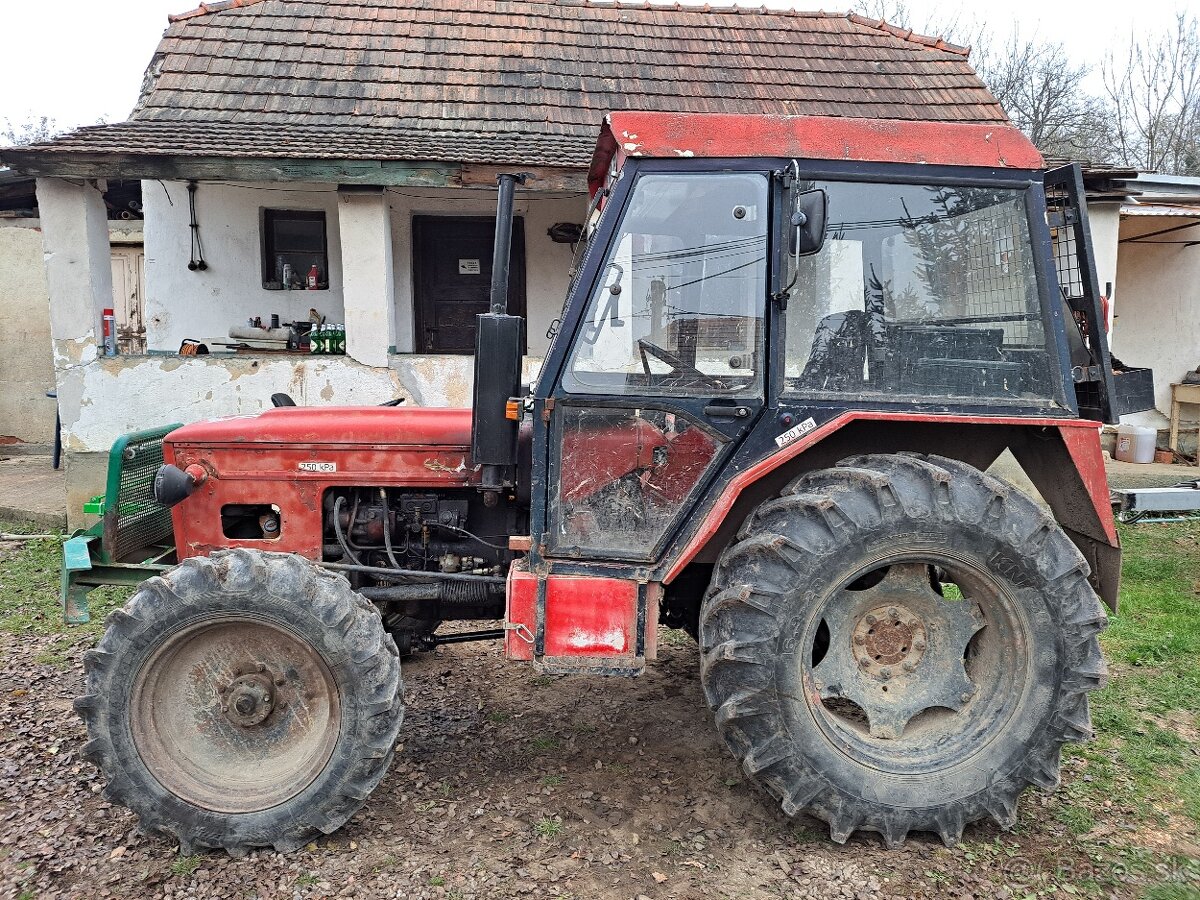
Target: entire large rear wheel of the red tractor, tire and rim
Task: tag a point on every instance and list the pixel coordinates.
(902, 644)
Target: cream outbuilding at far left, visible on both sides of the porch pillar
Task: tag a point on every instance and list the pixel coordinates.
(27, 365)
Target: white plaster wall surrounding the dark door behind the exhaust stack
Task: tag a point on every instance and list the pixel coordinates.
(547, 263)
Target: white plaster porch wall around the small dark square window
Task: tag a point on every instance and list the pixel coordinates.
(203, 305)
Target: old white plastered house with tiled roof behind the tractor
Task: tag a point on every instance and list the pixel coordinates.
(358, 142)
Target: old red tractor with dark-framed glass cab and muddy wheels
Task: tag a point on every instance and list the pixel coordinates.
(791, 349)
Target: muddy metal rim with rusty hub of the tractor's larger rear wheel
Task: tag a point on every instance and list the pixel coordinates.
(904, 677)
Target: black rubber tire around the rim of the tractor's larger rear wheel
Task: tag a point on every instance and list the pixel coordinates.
(806, 545)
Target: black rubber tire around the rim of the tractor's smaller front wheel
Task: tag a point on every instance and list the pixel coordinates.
(283, 590)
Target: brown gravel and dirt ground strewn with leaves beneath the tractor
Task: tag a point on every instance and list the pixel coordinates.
(508, 785)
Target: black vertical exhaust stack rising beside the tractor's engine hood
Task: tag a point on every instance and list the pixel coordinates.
(500, 345)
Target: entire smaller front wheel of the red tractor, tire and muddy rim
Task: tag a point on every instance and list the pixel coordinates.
(243, 700)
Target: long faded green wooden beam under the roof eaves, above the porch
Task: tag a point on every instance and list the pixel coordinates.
(206, 169)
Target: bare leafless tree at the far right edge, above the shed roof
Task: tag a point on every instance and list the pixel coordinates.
(1156, 97)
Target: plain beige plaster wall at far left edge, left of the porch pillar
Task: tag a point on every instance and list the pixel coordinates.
(27, 368)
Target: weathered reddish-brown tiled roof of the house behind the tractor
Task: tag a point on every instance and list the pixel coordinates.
(478, 81)
